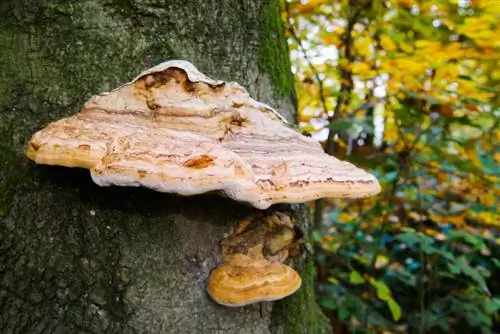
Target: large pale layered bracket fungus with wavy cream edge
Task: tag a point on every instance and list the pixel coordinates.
(172, 129)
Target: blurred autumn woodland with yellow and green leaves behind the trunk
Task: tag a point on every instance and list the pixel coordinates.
(409, 91)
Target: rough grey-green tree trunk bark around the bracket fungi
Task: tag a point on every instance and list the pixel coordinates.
(77, 258)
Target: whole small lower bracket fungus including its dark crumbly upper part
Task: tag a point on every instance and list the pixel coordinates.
(253, 270)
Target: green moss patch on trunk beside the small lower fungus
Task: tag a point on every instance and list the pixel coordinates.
(300, 313)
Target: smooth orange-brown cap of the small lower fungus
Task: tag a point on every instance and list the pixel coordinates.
(242, 280)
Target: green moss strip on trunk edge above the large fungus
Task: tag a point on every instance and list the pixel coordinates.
(273, 54)
